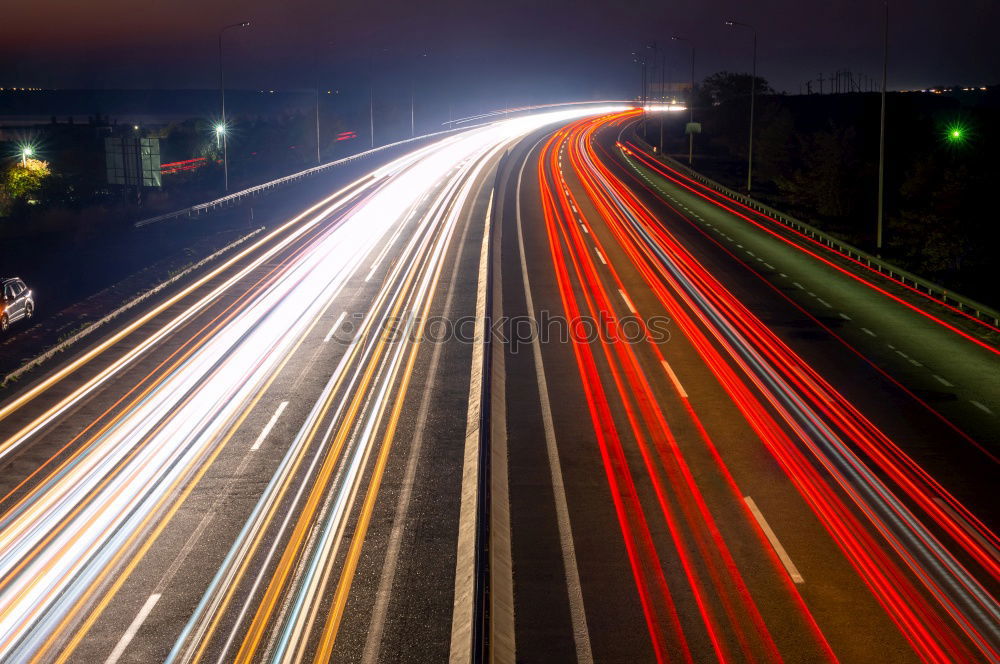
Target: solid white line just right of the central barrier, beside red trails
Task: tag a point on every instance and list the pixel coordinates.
(578, 616)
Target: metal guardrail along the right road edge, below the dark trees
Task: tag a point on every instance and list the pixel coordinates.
(935, 291)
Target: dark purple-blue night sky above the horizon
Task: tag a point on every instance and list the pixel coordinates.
(560, 47)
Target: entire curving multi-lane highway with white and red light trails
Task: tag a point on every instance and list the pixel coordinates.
(527, 392)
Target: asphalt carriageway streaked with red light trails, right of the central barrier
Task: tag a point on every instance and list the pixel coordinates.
(721, 487)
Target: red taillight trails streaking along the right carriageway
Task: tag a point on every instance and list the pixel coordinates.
(818, 435)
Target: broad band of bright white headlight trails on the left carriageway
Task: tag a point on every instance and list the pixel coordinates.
(61, 540)
